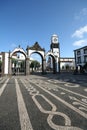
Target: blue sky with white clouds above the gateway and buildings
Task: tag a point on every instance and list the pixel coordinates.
(23, 22)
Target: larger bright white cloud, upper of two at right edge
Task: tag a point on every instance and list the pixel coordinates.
(80, 32)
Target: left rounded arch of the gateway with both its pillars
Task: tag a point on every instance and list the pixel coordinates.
(26, 63)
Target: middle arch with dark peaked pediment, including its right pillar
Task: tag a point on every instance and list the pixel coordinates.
(41, 51)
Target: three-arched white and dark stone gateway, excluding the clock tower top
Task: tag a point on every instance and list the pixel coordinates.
(35, 49)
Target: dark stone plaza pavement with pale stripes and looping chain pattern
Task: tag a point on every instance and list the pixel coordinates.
(43, 102)
